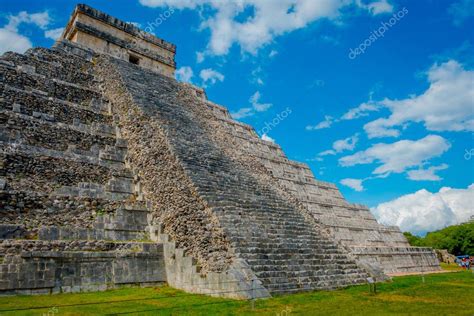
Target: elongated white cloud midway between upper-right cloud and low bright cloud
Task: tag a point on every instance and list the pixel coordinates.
(399, 156)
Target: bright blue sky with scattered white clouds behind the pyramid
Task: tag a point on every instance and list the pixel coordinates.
(391, 126)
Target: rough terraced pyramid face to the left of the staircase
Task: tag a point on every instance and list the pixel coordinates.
(71, 218)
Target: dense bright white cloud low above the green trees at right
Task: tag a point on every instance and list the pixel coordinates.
(424, 211)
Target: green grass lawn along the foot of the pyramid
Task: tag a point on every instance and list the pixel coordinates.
(440, 294)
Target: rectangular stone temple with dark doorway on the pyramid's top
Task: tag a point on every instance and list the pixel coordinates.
(106, 34)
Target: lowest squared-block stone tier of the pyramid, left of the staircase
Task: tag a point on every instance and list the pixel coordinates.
(62, 267)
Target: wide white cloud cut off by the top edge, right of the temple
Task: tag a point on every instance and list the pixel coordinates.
(269, 20)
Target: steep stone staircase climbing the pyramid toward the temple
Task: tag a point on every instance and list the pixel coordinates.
(284, 249)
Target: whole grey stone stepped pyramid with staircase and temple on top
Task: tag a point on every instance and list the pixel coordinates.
(112, 173)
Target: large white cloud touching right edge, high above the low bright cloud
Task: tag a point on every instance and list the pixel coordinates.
(447, 105)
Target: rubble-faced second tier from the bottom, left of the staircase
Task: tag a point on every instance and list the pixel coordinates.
(26, 212)
